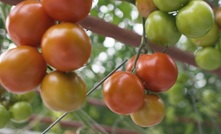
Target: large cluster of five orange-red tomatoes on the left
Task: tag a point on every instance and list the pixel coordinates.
(50, 46)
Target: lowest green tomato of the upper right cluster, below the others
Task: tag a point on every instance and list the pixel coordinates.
(208, 58)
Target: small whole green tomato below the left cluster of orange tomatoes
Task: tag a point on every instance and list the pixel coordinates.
(21, 111)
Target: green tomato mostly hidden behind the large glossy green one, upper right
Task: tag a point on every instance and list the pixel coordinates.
(209, 39)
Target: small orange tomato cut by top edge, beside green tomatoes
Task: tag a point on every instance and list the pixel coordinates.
(145, 7)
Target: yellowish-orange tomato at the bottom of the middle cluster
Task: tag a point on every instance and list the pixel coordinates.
(151, 113)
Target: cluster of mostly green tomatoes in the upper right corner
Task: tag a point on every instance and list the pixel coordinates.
(167, 21)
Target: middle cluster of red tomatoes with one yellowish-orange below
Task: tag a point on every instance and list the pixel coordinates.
(125, 91)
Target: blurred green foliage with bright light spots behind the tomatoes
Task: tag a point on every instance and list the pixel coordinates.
(193, 105)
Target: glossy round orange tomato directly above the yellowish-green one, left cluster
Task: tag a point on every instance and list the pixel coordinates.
(66, 46)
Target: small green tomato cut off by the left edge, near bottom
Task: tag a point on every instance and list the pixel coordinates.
(4, 116)
